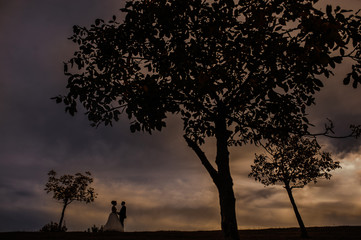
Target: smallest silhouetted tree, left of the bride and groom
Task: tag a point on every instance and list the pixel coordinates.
(69, 188)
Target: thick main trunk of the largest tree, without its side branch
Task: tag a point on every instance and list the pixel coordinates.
(224, 182)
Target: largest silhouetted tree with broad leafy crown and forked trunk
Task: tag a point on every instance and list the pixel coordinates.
(239, 71)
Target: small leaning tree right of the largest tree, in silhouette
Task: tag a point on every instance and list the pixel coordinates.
(294, 164)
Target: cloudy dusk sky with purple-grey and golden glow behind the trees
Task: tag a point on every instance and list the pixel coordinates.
(159, 177)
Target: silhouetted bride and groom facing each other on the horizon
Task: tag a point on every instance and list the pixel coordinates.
(114, 222)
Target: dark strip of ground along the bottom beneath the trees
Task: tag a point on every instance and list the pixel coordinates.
(316, 233)
